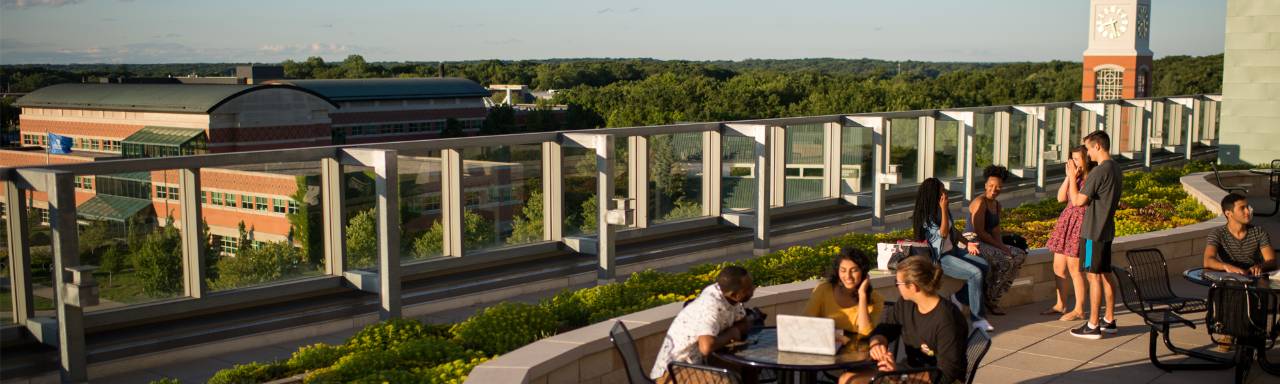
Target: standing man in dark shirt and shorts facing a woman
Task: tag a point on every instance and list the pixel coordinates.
(1100, 196)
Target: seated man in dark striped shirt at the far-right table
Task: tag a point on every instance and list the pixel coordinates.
(1238, 246)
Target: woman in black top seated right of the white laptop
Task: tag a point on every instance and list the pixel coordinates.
(932, 330)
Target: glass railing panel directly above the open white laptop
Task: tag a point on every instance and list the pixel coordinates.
(804, 170)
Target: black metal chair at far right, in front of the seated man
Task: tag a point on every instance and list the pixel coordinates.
(1247, 319)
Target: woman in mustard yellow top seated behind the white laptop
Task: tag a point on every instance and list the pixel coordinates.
(847, 298)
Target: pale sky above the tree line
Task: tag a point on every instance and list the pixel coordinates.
(271, 31)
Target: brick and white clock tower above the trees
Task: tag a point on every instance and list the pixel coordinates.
(1118, 62)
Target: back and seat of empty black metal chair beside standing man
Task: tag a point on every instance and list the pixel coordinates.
(1151, 275)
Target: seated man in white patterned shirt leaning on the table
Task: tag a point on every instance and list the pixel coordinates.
(712, 321)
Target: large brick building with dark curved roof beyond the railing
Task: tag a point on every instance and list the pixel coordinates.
(115, 121)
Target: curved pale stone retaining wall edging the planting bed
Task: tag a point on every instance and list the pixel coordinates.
(587, 355)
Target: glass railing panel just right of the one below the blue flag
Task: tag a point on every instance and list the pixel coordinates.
(263, 225)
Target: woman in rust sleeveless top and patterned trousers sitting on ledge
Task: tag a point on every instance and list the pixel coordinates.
(985, 222)
